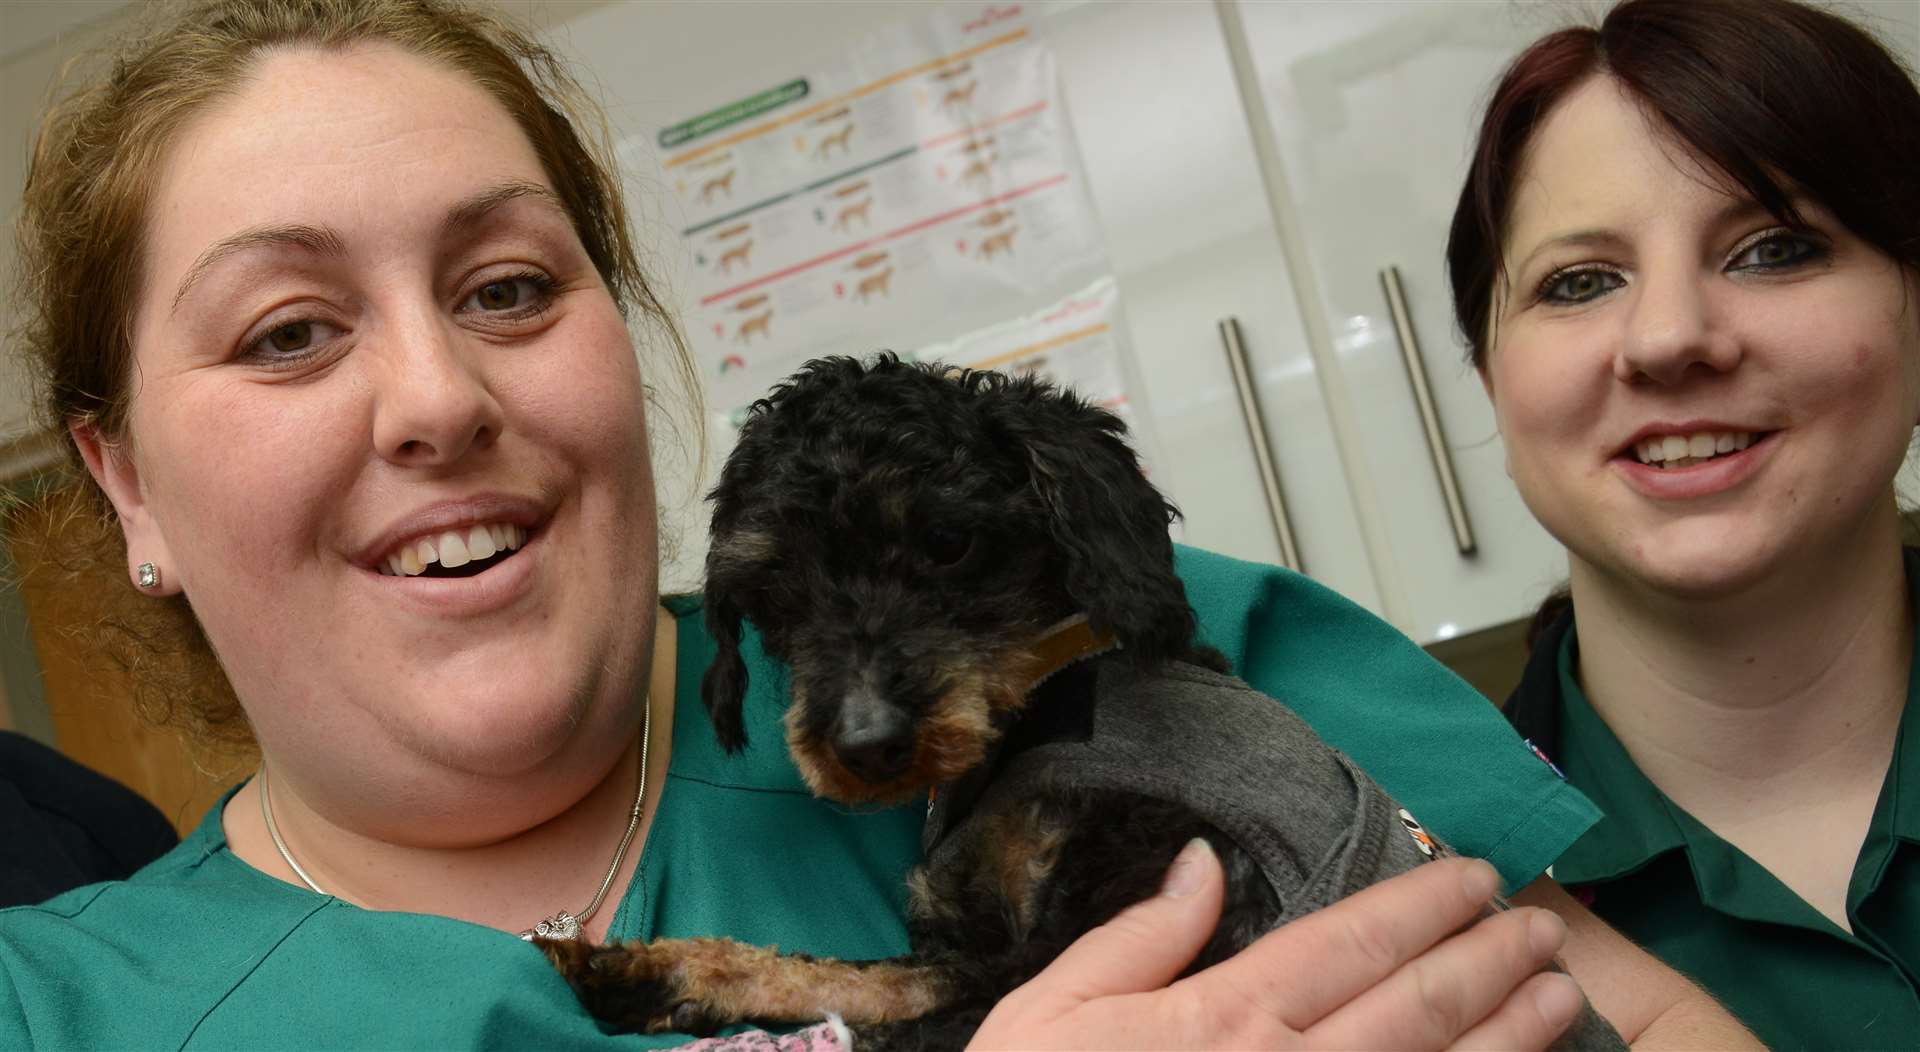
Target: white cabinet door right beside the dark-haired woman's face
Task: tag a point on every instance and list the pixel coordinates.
(1374, 110)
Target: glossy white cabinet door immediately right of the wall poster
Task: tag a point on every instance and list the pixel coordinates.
(1191, 235)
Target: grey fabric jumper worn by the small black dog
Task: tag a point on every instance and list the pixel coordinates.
(1310, 819)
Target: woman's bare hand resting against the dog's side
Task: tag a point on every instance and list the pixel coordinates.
(1393, 967)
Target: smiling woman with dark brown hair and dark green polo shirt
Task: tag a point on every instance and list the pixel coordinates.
(1689, 264)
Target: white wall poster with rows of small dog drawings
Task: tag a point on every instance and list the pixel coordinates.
(928, 174)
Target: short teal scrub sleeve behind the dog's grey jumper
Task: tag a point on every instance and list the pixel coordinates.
(1422, 732)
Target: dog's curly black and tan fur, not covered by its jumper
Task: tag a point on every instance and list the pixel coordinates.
(903, 535)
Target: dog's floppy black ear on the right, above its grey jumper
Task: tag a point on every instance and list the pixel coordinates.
(1107, 519)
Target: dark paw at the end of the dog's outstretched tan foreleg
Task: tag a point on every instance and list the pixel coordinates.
(633, 986)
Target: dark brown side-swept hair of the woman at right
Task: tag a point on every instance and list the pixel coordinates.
(1781, 99)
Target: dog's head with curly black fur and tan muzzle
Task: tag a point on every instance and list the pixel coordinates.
(903, 533)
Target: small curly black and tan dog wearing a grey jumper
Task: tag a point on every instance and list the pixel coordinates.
(974, 590)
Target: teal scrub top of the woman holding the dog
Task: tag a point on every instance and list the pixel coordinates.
(203, 951)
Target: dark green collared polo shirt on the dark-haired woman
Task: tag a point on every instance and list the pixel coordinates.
(1714, 913)
